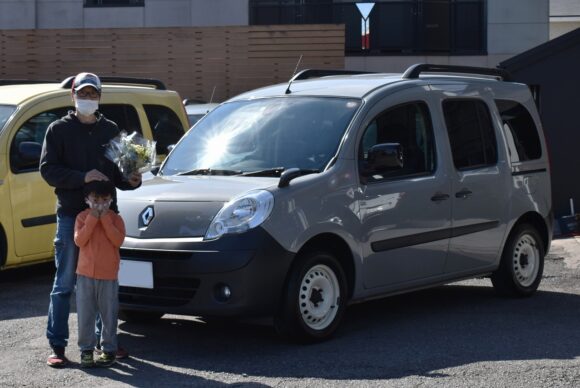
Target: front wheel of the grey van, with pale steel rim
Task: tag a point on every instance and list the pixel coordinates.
(314, 299)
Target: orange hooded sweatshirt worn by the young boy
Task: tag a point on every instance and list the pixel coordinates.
(99, 240)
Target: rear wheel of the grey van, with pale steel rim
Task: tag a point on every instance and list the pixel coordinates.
(522, 263)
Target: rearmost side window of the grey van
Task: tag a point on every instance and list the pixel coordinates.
(521, 131)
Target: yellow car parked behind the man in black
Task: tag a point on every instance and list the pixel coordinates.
(27, 203)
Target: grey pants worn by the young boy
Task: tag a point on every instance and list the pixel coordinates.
(93, 297)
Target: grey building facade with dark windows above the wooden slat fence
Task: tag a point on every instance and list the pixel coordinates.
(384, 35)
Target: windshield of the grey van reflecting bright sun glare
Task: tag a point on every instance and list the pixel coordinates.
(264, 134)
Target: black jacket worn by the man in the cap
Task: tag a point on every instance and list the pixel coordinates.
(70, 150)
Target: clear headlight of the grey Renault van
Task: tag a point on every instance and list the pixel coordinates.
(241, 214)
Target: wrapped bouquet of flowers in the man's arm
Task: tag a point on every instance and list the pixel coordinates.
(131, 153)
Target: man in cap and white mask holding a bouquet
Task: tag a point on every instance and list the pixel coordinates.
(72, 155)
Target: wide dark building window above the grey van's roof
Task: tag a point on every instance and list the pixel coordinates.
(404, 27)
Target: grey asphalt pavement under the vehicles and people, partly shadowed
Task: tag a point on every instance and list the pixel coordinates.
(460, 335)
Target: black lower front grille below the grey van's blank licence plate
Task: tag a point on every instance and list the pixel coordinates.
(169, 292)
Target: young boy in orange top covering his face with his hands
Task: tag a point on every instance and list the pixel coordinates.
(99, 232)
